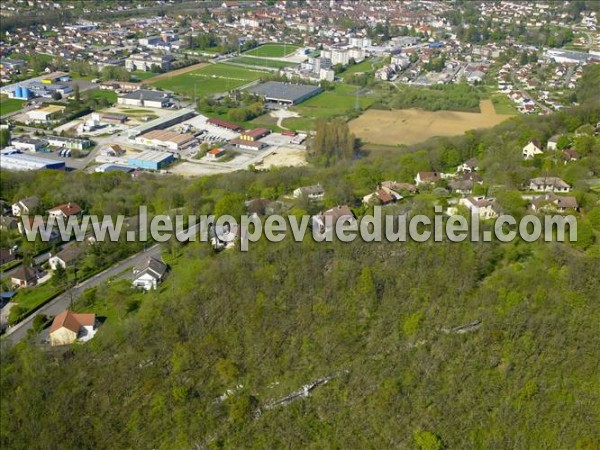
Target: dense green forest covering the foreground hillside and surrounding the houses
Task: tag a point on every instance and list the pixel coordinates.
(205, 361)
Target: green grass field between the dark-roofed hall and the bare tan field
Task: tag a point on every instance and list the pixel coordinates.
(327, 104)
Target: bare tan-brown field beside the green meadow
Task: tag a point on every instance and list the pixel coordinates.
(411, 126)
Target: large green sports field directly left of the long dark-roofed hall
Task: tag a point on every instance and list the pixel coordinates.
(208, 80)
